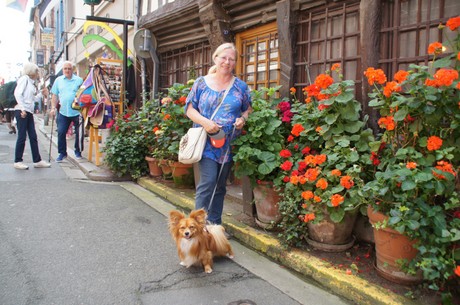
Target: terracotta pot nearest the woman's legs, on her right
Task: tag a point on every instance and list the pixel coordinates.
(266, 200)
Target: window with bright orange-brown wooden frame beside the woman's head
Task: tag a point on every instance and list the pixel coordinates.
(258, 62)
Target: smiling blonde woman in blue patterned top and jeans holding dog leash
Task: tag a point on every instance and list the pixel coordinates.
(204, 98)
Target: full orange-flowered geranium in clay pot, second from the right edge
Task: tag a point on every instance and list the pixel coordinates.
(325, 165)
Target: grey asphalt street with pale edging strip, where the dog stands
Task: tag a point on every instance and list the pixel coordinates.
(67, 240)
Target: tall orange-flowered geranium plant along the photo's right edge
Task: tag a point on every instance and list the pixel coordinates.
(417, 159)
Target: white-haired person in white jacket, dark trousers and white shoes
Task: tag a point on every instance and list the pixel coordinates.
(26, 94)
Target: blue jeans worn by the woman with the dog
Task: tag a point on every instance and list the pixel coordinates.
(209, 170)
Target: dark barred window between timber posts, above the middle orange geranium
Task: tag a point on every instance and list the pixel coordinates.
(326, 36)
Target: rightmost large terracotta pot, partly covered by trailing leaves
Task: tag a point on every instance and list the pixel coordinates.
(391, 246)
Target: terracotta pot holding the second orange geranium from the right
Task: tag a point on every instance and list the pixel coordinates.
(329, 236)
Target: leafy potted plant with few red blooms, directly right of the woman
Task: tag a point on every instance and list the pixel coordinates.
(256, 152)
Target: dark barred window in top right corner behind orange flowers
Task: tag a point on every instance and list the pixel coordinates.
(408, 27)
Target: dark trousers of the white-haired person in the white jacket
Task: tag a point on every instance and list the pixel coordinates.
(26, 127)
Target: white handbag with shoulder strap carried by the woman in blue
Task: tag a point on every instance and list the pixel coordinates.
(192, 144)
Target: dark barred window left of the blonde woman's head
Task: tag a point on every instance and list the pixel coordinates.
(178, 66)
